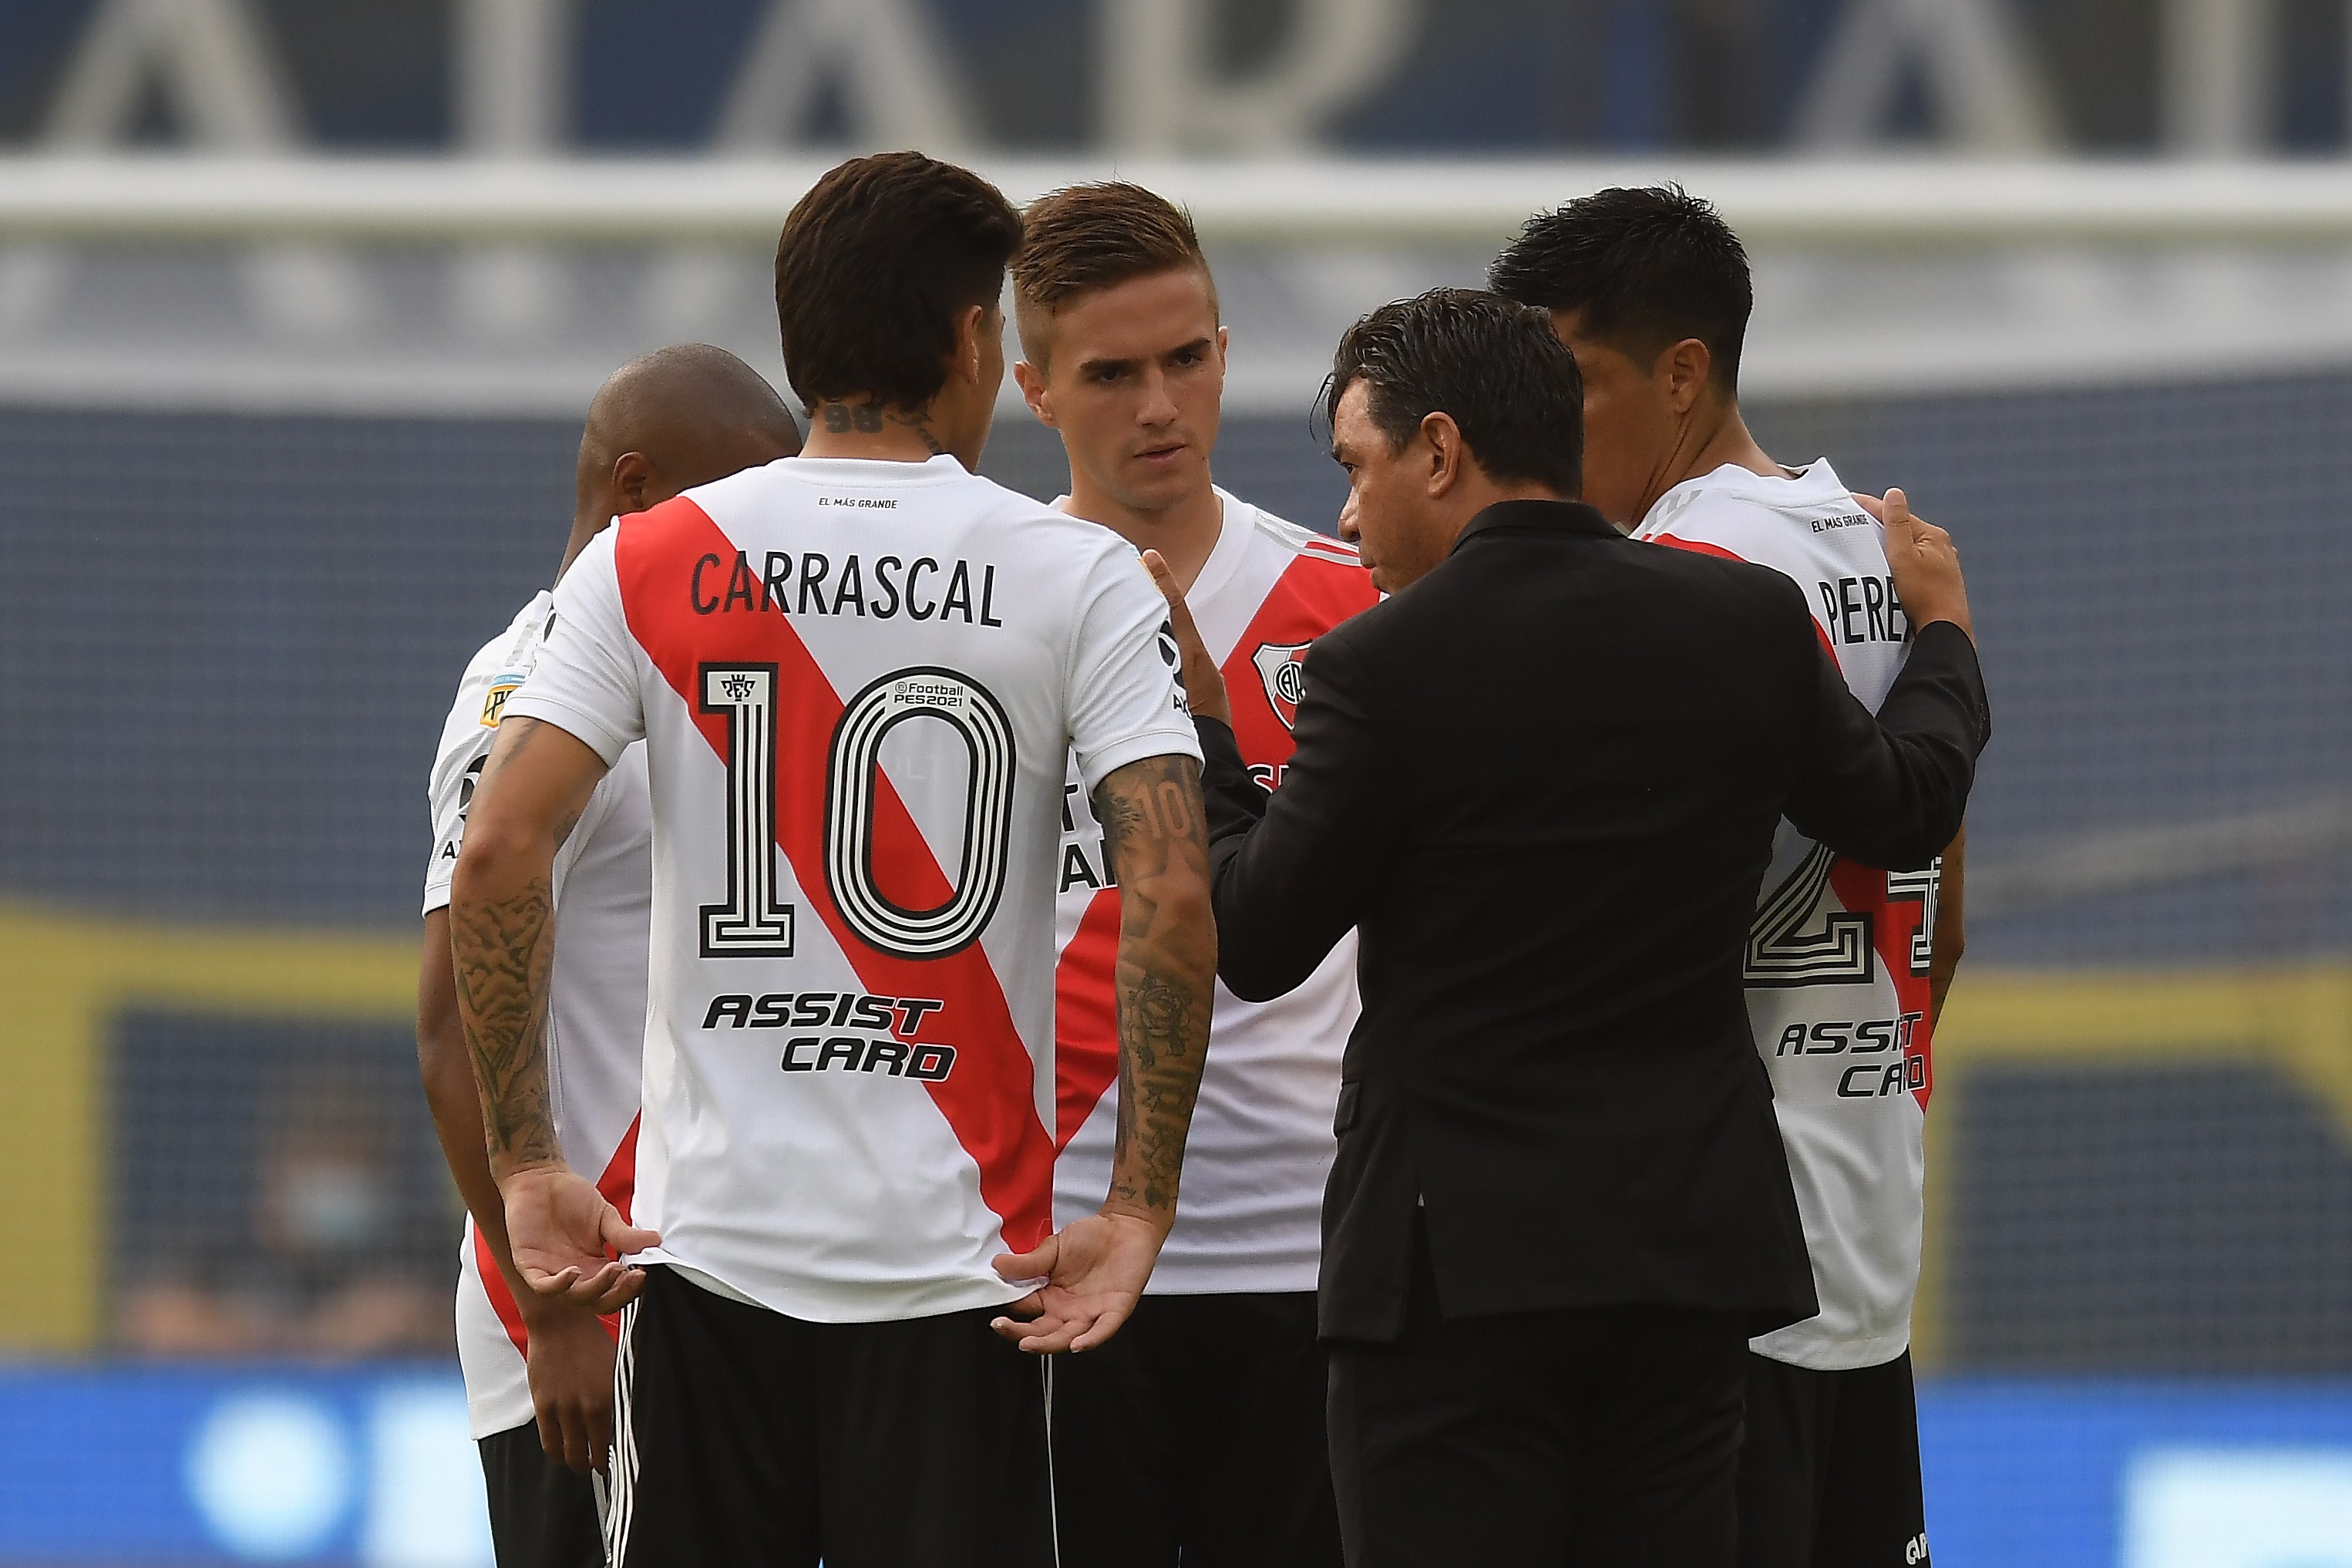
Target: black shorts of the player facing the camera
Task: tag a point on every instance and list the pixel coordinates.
(1198, 1435)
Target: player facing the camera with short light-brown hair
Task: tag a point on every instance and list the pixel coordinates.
(1196, 1435)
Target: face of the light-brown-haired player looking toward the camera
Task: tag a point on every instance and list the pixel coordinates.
(1135, 384)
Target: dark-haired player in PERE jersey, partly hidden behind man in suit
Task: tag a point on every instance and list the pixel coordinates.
(1847, 965)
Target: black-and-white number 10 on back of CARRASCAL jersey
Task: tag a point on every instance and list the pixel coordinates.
(754, 920)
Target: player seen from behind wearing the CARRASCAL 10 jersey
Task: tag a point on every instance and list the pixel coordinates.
(860, 676)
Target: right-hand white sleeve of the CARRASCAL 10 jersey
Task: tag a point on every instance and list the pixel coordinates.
(1121, 688)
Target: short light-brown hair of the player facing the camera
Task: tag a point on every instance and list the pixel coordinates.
(1088, 239)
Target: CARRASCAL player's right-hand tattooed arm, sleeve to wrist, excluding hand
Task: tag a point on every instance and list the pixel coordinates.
(1156, 831)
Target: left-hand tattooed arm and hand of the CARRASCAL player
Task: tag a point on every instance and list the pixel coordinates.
(502, 944)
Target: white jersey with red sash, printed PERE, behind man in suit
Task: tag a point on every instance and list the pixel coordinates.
(1838, 958)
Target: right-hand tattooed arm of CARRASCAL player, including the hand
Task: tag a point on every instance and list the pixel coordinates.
(1095, 1268)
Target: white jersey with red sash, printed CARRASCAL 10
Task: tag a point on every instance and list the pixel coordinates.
(860, 685)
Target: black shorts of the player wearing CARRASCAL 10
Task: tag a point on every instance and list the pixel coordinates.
(754, 1438)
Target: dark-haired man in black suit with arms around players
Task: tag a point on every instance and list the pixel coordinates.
(1542, 782)
